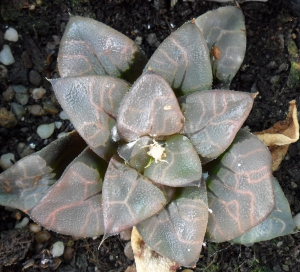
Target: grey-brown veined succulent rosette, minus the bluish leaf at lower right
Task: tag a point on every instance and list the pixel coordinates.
(165, 154)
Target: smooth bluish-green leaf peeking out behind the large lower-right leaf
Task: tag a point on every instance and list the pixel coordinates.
(280, 222)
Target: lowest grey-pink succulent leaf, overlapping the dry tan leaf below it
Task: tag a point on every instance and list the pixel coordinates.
(177, 232)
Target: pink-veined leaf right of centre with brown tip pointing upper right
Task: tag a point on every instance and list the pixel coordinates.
(212, 118)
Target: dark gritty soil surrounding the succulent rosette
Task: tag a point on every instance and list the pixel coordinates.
(265, 69)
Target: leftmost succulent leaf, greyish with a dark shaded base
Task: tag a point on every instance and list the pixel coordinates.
(27, 181)
